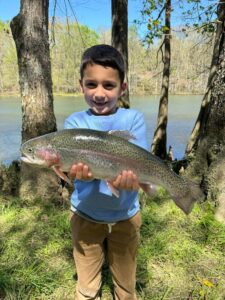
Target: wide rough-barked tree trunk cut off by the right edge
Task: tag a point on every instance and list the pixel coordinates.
(207, 161)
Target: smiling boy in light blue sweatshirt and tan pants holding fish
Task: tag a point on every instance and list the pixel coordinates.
(102, 224)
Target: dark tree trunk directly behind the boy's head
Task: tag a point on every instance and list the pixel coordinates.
(120, 39)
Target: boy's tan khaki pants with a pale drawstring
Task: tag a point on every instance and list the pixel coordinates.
(89, 240)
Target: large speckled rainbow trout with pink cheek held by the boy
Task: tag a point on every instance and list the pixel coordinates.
(107, 154)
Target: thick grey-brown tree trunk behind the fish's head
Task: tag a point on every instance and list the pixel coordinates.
(30, 33)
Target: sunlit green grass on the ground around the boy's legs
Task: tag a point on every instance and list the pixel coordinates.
(180, 257)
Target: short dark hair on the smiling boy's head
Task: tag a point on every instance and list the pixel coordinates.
(103, 55)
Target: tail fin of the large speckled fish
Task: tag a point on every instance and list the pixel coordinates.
(187, 201)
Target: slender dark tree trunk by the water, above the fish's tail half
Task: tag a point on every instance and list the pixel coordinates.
(160, 136)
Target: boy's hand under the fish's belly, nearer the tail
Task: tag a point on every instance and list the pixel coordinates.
(127, 180)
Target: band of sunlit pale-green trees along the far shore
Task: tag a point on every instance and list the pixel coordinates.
(190, 61)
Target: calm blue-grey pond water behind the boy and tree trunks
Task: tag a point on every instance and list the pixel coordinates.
(183, 111)
